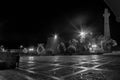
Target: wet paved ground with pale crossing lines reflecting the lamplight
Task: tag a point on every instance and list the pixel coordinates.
(91, 67)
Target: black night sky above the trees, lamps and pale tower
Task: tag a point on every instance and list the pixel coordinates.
(34, 23)
